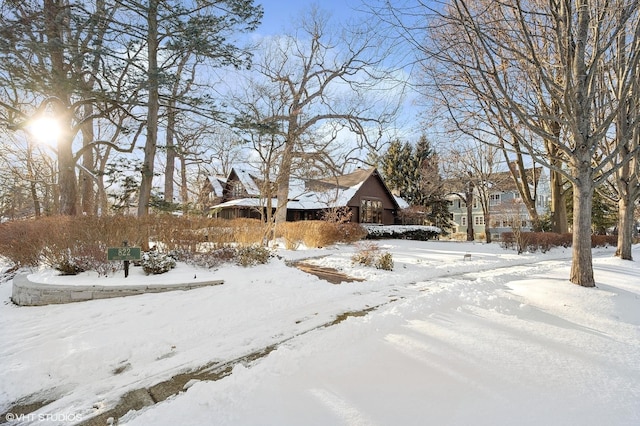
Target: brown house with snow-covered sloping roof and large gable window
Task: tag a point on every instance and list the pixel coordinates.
(361, 196)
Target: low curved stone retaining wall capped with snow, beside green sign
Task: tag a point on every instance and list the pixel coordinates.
(27, 293)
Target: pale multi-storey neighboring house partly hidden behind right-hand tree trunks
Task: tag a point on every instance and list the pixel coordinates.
(505, 206)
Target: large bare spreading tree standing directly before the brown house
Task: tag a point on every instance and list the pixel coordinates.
(321, 78)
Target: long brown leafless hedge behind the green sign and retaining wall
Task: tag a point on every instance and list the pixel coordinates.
(77, 244)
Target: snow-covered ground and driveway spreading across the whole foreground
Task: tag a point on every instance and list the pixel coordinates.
(498, 338)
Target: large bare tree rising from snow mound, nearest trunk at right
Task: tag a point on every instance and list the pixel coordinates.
(563, 48)
